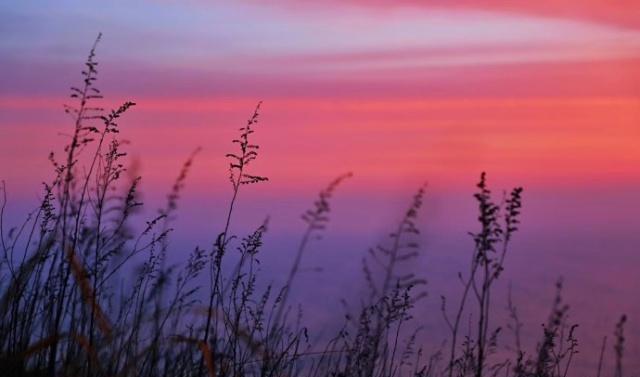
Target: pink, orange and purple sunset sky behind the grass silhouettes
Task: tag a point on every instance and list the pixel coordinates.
(542, 94)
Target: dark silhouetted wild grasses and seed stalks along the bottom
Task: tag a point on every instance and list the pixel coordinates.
(69, 308)
